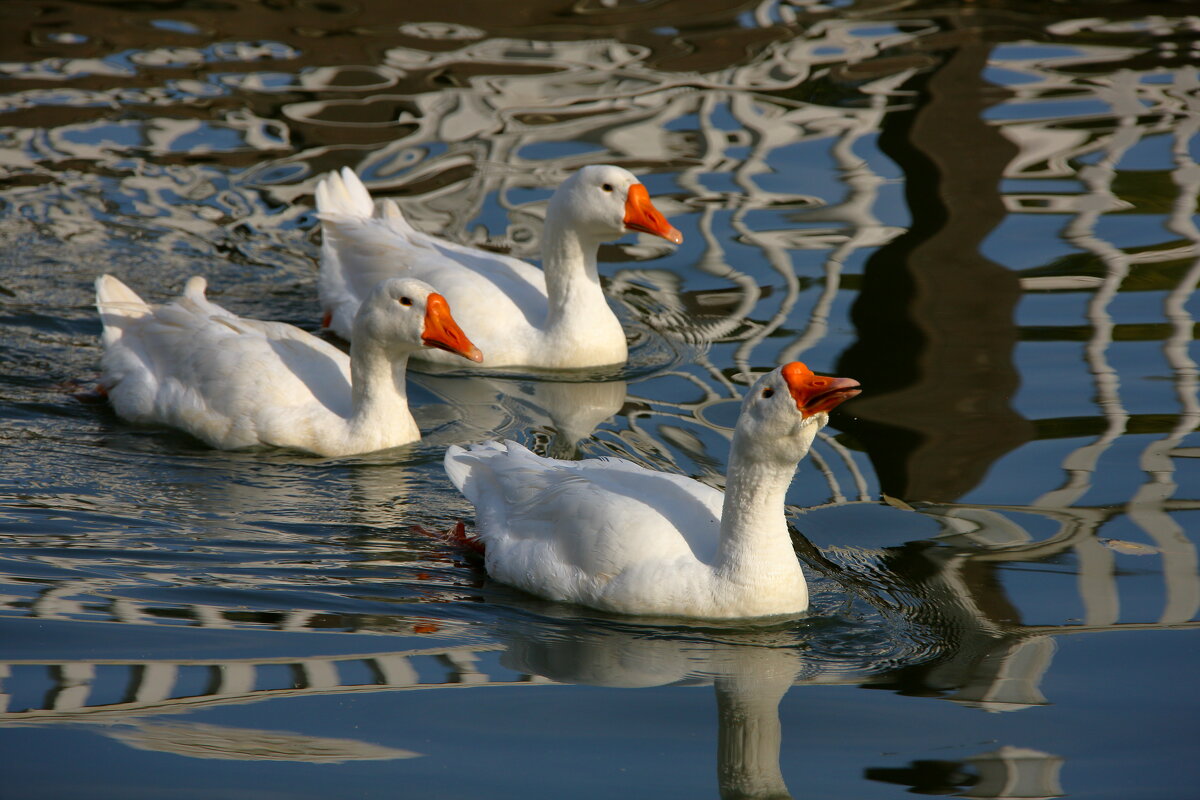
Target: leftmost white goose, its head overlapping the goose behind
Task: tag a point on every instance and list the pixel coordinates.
(239, 383)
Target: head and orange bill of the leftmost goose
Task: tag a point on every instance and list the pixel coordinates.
(404, 315)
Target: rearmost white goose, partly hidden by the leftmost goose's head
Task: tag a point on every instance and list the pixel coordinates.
(519, 315)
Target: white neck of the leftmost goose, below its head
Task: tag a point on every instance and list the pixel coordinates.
(380, 396)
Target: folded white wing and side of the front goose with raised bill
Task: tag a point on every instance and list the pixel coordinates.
(567, 527)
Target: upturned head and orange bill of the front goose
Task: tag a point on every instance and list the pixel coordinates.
(784, 411)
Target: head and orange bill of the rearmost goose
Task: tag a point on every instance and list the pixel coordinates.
(607, 203)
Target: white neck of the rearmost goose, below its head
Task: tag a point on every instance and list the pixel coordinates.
(579, 311)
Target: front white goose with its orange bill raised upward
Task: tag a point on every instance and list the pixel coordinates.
(617, 537)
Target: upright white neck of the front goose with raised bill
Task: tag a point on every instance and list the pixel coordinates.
(755, 545)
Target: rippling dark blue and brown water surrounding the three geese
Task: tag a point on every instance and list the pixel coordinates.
(986, 213)
